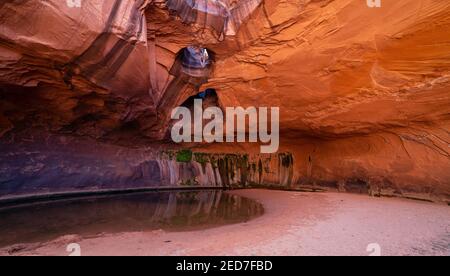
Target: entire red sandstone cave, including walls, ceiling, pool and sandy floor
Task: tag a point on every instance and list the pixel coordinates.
(87, 92)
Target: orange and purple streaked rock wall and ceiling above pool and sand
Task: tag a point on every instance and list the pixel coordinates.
(363, 92)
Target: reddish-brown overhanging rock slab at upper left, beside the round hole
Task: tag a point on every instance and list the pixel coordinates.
(82, 71)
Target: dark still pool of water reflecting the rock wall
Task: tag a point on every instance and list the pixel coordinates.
(94, 216)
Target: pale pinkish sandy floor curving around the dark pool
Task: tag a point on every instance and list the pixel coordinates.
(294, 224)
